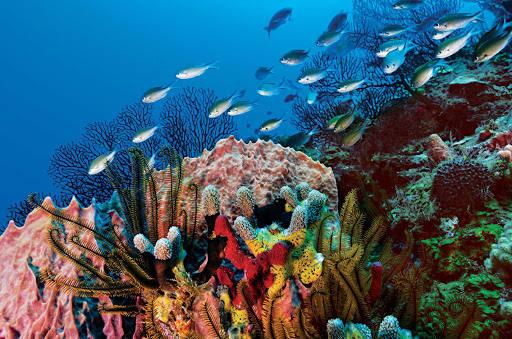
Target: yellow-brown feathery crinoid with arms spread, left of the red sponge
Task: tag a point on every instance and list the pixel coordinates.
(137, 253)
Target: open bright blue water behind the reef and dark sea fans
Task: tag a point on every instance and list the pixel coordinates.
(65, 64)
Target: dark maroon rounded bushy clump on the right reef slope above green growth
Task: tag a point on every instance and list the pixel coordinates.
(461, 184)
